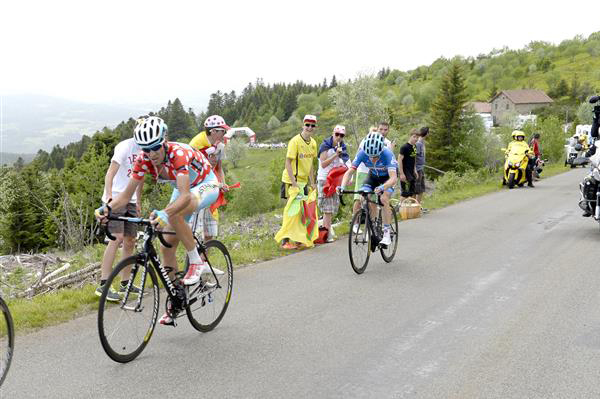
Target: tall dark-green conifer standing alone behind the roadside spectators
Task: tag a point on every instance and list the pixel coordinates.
(448, 138)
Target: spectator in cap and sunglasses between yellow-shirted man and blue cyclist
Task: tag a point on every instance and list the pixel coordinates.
(332, 154)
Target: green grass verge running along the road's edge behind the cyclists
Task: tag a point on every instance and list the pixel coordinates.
(248, 247)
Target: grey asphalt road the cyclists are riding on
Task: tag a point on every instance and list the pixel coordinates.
(497, 297)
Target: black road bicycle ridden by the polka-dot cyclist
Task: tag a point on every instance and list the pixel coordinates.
(125, 328)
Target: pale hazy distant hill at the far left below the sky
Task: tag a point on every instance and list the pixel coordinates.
(33, 122)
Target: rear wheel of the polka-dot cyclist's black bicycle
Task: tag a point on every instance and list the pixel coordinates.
(208, 300)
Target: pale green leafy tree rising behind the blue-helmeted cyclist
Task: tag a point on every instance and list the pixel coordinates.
(357, 104)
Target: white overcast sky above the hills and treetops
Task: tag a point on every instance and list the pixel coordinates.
(152, 51)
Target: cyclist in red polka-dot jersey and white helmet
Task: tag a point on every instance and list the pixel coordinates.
(195, 187)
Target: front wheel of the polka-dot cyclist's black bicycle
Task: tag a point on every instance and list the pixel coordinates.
(126, 327)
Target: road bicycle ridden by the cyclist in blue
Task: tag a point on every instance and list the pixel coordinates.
(366, 232)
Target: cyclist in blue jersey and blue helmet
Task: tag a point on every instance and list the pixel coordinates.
(382, 175)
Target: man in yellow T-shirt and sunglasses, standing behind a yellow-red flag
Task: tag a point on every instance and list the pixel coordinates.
(298, 172)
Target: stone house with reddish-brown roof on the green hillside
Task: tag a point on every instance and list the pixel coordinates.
(521, 102)
